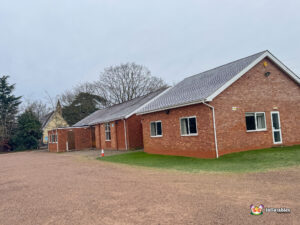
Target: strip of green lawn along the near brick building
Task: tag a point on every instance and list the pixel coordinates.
(250, 161)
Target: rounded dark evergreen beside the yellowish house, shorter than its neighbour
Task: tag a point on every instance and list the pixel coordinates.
(28, 133)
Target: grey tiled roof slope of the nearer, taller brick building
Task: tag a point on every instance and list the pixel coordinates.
(200, 86)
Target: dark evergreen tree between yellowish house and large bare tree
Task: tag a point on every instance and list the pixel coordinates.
(83, 105)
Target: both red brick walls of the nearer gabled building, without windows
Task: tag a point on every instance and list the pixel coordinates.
(253, 92)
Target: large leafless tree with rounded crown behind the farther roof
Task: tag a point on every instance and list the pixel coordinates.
(127, 81)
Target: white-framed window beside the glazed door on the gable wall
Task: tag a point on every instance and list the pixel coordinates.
(255, 121)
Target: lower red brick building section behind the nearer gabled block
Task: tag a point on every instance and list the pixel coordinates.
(116, 127)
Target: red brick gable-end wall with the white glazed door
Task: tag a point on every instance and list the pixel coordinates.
(254, 92)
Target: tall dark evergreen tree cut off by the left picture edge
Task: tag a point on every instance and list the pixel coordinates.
(8, 109)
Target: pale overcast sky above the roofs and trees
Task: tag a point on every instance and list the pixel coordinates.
(52, 45)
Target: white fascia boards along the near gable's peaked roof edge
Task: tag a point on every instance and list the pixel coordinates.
(255, 62)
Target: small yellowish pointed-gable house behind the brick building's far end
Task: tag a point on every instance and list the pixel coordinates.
(52, 121)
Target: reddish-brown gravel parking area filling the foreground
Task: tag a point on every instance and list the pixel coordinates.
(50, 188)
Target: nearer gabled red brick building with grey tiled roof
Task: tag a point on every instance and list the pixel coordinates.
(250, 103)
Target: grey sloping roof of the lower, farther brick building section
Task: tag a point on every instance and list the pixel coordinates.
(118, 111)
